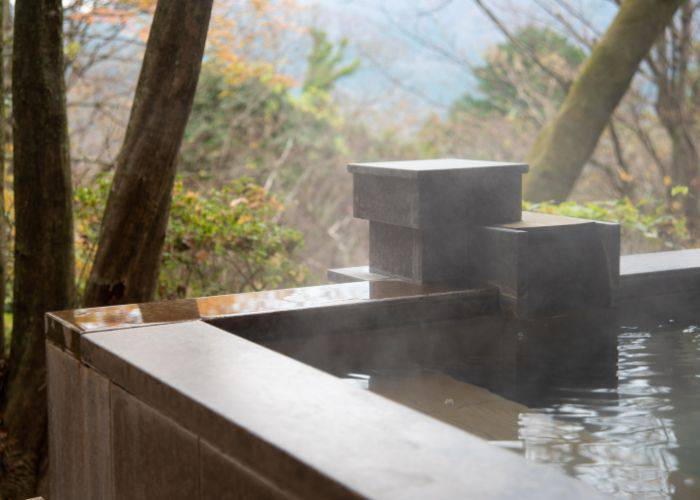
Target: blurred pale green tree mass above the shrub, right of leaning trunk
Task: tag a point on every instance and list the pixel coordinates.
(249, 125)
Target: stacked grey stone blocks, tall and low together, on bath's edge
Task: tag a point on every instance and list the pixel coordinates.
(461, 222)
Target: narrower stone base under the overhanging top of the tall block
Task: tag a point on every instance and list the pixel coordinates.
(434, 254)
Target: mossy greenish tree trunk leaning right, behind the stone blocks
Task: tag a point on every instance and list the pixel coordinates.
(563, 147)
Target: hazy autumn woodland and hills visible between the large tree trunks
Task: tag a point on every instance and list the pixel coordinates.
(292, 90)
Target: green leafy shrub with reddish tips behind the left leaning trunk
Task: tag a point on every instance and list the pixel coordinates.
(224, 240)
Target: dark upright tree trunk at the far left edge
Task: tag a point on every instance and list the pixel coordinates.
(43, 235)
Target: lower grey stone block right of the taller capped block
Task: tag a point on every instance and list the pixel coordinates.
(547, 264)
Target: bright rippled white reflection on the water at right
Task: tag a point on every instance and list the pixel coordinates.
(640, 438)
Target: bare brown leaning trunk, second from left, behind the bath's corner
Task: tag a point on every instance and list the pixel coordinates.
(133, 227)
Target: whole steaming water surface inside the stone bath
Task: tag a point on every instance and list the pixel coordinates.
(616, 406)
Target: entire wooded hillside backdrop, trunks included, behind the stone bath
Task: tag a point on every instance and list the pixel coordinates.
(242, 186)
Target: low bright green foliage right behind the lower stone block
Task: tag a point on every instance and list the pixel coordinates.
(647, 222)
